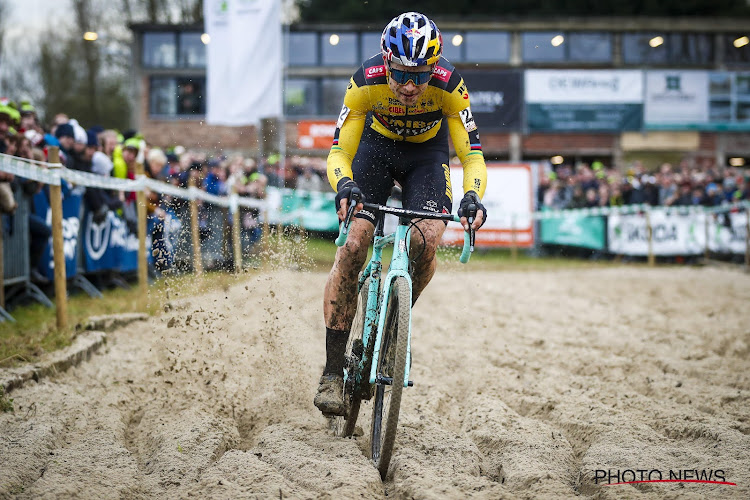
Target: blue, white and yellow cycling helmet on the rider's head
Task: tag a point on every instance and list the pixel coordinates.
(412, 39)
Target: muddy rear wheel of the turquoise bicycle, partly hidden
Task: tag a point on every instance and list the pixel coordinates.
(344, 426)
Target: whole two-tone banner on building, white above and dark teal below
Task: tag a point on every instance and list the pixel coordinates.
(584, 100)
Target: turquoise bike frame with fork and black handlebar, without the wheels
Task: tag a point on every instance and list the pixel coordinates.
(377, 304)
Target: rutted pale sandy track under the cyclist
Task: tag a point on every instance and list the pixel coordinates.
(526, 384)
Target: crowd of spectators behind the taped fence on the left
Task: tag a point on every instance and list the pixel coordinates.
(110, 153)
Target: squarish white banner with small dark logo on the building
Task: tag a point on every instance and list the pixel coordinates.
(676, 97)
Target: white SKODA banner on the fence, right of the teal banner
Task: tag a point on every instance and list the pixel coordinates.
(673, 233)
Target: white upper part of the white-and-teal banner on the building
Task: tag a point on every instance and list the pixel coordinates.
(584, 86)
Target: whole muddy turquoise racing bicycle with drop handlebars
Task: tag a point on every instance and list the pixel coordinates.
(381, 331)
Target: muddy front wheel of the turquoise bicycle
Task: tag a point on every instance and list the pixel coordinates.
(391, 363)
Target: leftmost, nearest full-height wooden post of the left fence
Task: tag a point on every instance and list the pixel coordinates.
(58, 247)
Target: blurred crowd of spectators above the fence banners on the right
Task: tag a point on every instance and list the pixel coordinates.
(690, 183)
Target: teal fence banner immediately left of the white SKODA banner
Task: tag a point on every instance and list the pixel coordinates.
(575, 231)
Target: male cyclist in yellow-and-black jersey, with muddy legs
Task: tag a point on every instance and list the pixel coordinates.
(400, 106)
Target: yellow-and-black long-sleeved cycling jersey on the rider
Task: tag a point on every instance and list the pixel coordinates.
(446, 97)
